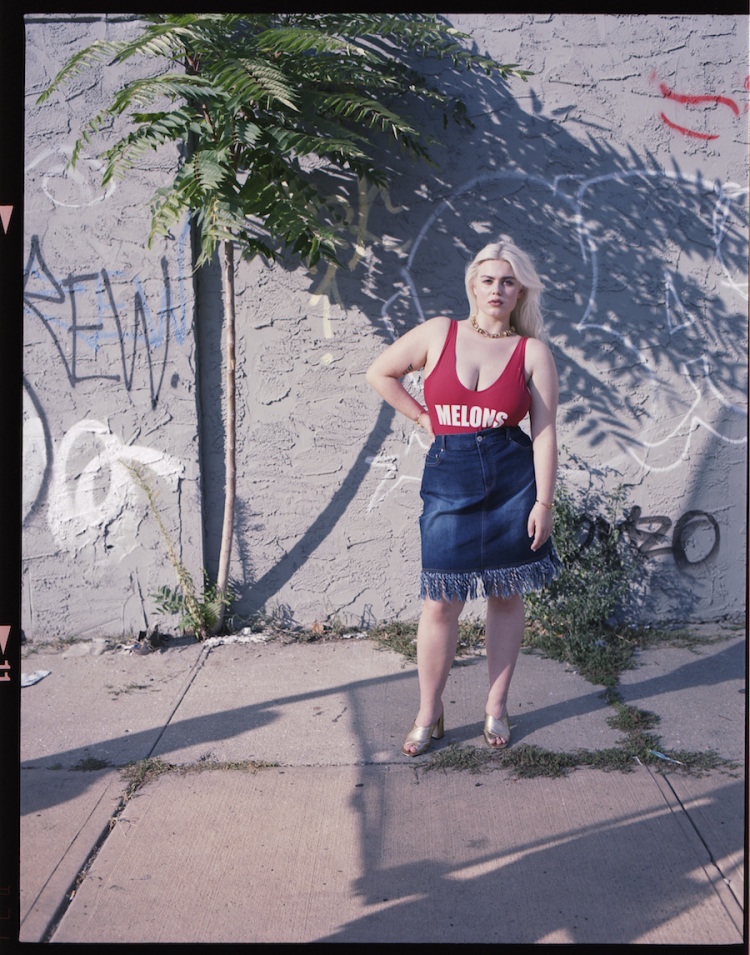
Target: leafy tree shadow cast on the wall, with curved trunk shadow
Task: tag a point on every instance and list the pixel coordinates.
(643, 269)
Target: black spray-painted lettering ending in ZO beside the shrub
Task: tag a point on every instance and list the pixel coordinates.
(694, 541)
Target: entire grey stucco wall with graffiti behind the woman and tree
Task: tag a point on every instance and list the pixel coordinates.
(621, 166)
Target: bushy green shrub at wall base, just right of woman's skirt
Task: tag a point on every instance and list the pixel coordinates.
(576, 618)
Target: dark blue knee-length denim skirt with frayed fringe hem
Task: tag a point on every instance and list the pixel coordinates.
(477, 491)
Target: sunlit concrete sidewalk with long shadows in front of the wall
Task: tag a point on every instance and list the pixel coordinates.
(342, 838)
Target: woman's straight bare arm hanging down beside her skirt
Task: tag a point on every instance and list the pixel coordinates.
(544, 391)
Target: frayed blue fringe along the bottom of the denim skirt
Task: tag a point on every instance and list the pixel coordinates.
(505, 582)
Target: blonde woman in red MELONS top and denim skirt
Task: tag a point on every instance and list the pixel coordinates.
(487, 488)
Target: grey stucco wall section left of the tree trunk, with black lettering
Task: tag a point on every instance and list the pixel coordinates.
(109, 370)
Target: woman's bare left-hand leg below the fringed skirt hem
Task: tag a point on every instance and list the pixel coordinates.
(437, 639)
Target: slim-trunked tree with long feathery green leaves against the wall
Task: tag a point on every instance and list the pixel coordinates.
(270, 111)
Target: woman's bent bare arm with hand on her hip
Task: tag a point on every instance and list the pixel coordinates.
(408, 353)
